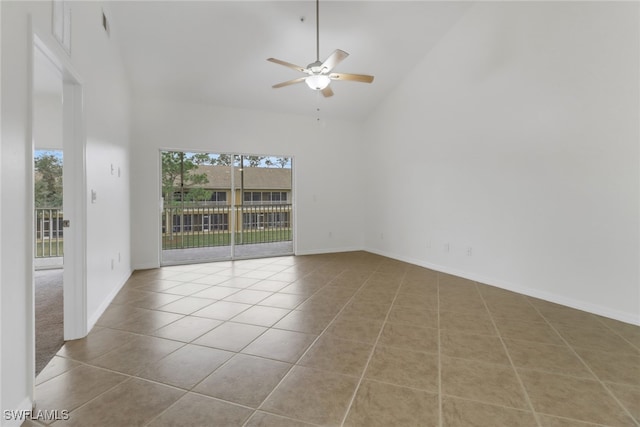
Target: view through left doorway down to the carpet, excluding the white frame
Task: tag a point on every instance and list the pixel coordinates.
(48, 232)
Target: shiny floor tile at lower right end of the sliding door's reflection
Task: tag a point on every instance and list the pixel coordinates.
(286, 346)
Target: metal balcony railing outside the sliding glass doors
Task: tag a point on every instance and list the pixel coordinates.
(198, 227)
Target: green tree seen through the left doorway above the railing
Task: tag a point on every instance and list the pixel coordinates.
(48, 181)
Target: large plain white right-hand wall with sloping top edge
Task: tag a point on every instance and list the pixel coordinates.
(517, 136)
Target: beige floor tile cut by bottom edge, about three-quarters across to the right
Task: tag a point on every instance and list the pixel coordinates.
(466, 413)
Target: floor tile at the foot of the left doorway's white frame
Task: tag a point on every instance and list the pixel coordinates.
(98, 342)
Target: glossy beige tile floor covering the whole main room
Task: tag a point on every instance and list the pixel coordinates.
(350, 339)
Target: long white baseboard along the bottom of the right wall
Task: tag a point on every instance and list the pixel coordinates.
(535, 293)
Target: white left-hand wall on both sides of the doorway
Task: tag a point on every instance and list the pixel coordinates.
(106, 100)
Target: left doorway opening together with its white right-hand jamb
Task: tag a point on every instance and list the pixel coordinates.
(58, 183)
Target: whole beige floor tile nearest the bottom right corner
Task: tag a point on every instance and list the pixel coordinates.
(575, 398)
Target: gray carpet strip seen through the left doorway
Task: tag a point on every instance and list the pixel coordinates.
(49, 316)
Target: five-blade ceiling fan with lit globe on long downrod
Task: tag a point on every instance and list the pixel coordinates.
(319, 74)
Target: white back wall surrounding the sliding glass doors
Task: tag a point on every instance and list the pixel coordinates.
(326, 177)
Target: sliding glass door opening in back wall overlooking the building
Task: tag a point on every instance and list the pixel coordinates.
(218, 206)
